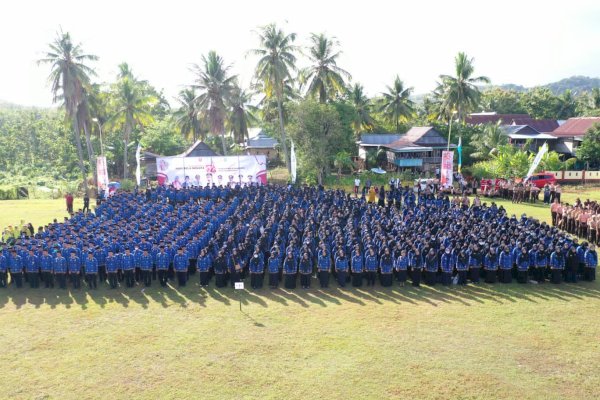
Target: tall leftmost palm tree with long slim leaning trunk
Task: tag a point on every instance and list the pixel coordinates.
(69, 76)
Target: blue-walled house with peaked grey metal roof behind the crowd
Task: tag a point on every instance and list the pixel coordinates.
(420, 148)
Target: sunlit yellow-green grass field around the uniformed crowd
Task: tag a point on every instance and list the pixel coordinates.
(476, 342)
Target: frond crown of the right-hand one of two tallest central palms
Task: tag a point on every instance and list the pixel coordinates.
(324, 78)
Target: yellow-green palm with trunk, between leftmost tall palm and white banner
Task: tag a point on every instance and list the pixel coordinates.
(132, 109)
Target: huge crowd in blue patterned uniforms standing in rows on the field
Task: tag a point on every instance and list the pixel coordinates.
(288, 234)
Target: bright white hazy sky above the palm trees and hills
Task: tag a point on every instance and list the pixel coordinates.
(523, 42)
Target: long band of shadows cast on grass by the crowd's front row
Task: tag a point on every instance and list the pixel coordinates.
(193, 294)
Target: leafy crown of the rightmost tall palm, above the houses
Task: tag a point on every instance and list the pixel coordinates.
(460, 92)
